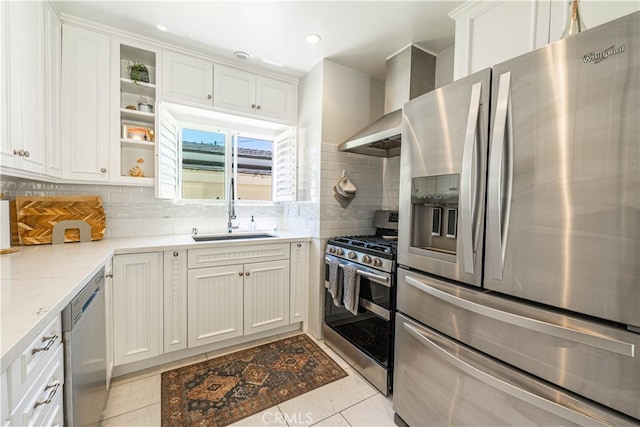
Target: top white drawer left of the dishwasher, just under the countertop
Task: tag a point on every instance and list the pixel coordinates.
(24, 370)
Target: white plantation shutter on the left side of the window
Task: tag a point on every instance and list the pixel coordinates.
(167, 155)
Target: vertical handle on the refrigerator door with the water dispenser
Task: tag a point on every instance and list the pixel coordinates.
(469, 183)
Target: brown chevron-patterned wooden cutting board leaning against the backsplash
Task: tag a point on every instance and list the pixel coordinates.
(37, 215)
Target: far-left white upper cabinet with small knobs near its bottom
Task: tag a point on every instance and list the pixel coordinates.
(23, 148)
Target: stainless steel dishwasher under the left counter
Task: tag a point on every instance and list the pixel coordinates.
(85, 368)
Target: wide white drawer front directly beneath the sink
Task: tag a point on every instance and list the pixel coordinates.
(217, 256)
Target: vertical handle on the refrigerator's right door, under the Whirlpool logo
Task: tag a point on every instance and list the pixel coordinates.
(500, 178)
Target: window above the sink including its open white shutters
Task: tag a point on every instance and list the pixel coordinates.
(212, 148)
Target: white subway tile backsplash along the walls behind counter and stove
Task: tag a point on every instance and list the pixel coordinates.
(134, 211)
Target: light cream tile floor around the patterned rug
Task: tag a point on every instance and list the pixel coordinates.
(134, 399)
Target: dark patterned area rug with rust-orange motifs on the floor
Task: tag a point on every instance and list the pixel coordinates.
(226, 389)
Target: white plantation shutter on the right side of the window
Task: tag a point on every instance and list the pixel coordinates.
(284, 169)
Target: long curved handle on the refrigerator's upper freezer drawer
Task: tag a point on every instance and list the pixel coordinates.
(561, 332)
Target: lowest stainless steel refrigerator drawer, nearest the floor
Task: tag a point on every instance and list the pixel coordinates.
(440, 382)
